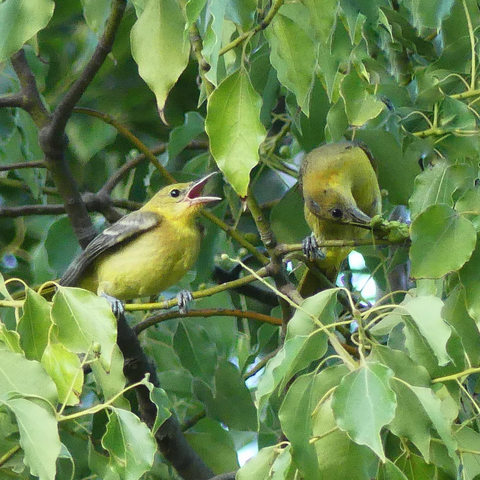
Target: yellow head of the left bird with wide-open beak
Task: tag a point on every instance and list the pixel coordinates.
(183, 199)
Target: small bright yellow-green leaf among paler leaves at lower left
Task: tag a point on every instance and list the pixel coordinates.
(65, 369)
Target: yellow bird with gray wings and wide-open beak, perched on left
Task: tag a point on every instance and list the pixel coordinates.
(146, 251)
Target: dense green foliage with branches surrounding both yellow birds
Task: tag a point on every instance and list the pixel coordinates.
(104, 101)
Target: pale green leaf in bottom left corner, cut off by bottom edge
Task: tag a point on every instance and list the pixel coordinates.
(38, 437)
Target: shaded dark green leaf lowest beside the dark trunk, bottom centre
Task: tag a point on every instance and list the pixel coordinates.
(214, 445)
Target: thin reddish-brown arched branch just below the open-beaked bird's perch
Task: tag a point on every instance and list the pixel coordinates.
(205, 312)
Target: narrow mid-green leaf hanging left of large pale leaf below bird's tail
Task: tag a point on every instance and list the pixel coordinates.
(34, 325)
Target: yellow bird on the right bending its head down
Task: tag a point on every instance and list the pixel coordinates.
(340, 188)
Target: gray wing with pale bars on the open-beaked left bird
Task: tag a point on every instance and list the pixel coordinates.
(127, 228)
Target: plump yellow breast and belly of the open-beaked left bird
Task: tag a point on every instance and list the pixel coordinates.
(148, 264)
